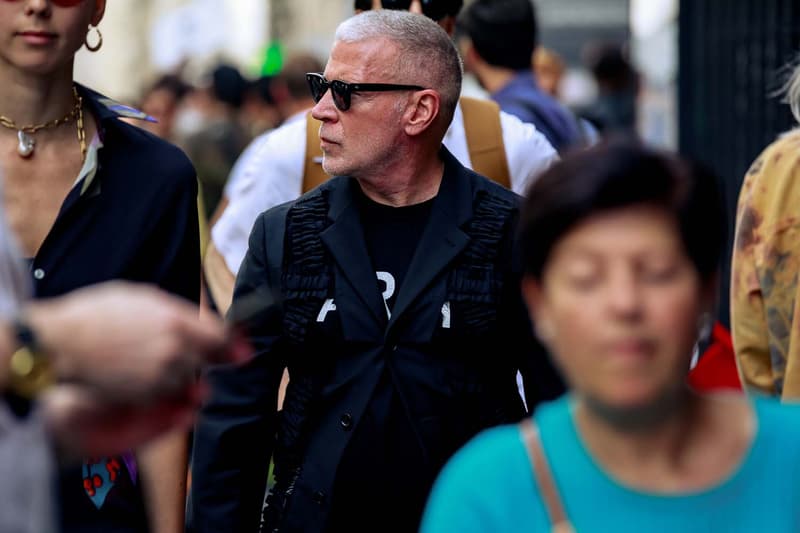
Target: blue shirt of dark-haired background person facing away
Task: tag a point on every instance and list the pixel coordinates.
(522, 98)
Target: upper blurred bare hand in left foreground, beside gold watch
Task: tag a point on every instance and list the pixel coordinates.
(130, 343)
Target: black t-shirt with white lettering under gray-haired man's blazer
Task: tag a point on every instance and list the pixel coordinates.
(379, 480)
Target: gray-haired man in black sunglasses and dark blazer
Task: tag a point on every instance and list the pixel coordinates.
(400, 318)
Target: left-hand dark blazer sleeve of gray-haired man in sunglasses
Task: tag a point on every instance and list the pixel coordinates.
(235, 433)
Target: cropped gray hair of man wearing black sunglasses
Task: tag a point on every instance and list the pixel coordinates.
(428, 57)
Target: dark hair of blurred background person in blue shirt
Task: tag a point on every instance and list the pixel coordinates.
(503, 32)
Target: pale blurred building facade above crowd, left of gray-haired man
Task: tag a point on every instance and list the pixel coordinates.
(144, 38)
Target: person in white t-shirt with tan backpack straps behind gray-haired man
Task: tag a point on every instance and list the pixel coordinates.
(288, 162)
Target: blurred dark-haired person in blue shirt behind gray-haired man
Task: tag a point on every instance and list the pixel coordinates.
(498, 43)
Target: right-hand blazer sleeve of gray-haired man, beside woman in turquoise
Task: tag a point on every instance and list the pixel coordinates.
(540, 378)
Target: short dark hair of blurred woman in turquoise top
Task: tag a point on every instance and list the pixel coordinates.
(617, 174)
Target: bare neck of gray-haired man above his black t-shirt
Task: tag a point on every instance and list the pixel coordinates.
(413, 181)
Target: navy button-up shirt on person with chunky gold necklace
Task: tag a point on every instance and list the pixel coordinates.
(133, 217)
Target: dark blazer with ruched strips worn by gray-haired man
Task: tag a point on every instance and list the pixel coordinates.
(454, 381)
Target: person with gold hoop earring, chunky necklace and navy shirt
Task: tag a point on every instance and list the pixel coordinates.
(91, 198)
